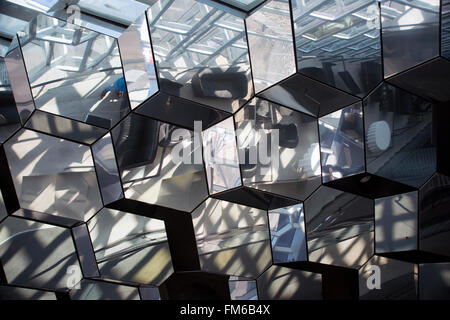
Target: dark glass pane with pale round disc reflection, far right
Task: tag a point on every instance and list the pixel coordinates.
(398, 132)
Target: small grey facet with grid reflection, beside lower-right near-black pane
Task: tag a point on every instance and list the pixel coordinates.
(396, 223)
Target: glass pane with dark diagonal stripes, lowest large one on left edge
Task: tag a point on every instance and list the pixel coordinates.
(38, 255)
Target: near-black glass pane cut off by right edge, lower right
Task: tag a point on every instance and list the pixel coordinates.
(434, 219)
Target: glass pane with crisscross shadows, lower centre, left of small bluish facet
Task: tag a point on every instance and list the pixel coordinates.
(232, 239)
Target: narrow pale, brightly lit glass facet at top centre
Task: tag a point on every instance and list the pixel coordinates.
(271, 44)
